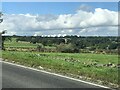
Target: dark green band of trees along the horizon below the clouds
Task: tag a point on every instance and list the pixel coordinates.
(72, 44)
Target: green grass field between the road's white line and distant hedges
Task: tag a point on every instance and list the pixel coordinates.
(67, 63)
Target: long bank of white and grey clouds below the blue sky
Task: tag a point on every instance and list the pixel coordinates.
(101, 20)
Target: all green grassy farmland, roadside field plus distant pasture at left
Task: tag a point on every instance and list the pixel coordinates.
(98, 68)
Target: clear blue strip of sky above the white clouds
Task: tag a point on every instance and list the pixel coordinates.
(52, 7)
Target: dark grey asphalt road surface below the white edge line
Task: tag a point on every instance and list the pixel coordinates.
(18, 77)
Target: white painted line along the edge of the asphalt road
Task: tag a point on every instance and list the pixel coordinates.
(55, 74)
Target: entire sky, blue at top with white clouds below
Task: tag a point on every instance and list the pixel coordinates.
(60, 19)
